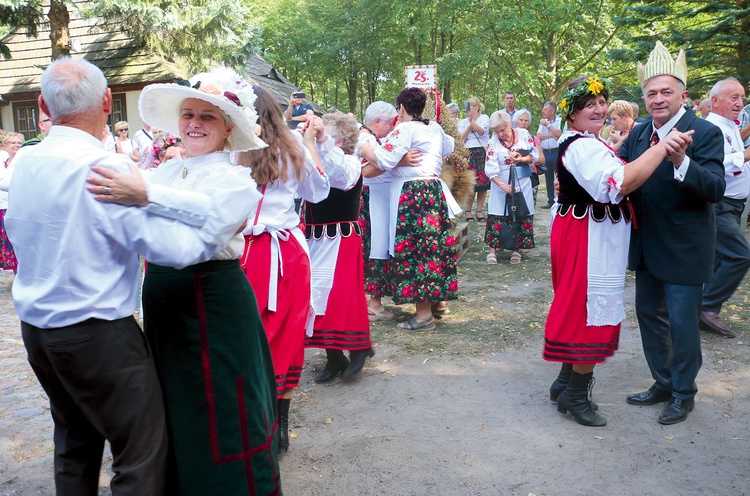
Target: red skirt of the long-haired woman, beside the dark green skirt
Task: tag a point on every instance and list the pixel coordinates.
(285, 328)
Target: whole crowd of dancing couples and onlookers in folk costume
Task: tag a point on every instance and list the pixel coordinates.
(239, 278)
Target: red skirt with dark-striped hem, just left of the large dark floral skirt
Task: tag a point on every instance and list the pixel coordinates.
(345, 325)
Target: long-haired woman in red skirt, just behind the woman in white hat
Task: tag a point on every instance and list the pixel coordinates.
(276, 259)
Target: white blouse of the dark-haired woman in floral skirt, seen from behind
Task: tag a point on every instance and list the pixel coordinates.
(429, 139)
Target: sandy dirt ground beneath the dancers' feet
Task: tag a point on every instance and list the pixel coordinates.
(431, 415)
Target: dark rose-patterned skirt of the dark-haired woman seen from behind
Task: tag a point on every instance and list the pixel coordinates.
(424, 261)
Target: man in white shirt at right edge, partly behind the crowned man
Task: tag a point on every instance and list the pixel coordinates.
(732, 248)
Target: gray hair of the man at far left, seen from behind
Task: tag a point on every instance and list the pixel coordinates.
(71, 87)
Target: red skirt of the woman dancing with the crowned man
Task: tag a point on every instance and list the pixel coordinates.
(567, 338)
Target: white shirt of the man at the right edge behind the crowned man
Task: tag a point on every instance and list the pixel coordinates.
(736, 170)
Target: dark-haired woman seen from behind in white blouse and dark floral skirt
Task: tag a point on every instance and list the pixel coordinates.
(421, 244)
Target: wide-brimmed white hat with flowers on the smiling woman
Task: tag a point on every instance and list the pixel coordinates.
(159, 105)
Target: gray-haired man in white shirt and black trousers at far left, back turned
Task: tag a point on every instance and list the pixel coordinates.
(77, 289)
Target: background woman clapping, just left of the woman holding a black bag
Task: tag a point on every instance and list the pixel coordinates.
(475, 131)
